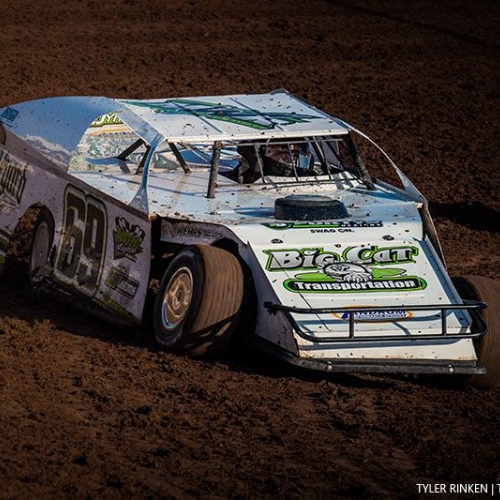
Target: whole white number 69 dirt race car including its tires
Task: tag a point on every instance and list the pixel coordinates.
(207, 216)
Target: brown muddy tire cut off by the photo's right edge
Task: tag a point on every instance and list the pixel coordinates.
(487, 346)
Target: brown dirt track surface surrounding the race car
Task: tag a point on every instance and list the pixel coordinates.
(91, 411)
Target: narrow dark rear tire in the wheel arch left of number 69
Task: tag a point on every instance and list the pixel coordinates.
(41, 246)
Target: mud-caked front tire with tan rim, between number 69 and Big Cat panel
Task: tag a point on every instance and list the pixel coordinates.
(198, 302)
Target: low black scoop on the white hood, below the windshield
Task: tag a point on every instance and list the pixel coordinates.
(309, 207)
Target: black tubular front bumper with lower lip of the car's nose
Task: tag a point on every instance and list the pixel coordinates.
(385, 363)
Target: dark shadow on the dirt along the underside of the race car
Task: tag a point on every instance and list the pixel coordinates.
(23, 305)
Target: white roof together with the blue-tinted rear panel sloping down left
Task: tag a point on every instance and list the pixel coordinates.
(55, 126)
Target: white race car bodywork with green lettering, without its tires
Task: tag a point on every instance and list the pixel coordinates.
(366, 291)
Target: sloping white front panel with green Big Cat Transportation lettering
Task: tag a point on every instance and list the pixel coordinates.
(340, 265)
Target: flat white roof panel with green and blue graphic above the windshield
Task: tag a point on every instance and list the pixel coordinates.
(246, 116)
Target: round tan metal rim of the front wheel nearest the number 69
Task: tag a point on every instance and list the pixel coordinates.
(177, 298)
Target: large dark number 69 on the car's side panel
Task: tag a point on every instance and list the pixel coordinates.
(80, 256)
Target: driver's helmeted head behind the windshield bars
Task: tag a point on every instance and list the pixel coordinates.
(281, 158)
